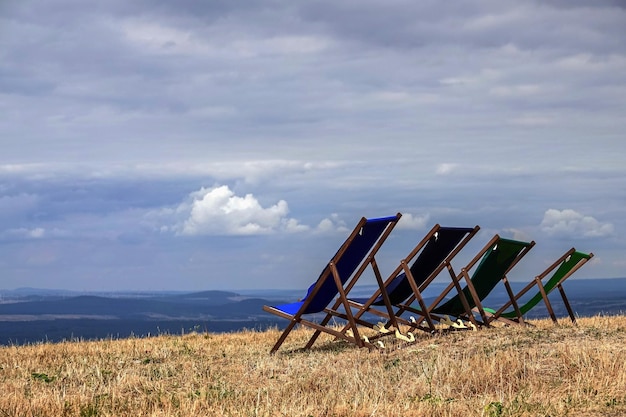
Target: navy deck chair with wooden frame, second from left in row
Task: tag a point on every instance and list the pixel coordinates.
(406, 284)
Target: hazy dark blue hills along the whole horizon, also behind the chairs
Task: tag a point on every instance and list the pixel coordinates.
(30, 315)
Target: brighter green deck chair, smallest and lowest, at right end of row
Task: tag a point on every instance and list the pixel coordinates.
(562, 269)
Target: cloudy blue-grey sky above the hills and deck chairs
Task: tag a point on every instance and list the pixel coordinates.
(158, 145)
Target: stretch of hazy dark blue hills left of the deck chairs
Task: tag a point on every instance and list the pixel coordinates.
(54, 316)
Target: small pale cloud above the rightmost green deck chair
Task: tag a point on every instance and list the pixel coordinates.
(570, 223)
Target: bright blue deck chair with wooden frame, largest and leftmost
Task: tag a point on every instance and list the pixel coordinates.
(336, 279)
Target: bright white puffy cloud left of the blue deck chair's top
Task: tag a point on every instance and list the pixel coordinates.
(218, 211)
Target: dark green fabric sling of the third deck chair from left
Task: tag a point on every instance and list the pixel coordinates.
(491, 269)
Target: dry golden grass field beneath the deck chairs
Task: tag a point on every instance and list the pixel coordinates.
(543, 370)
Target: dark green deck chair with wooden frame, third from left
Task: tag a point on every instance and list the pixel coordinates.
(497, 258)
